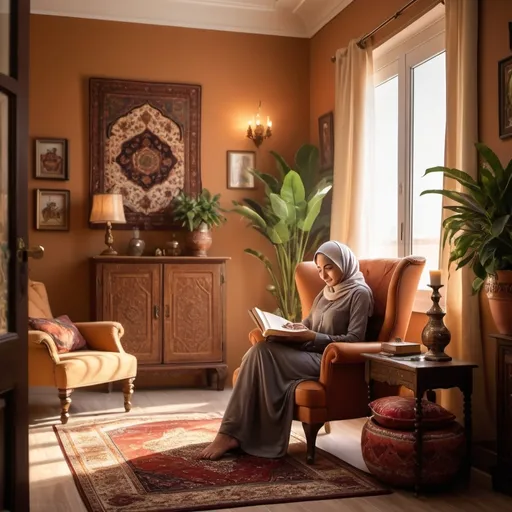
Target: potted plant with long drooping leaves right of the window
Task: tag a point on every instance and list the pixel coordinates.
(480, 230)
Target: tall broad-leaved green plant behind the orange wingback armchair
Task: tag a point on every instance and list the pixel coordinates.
(289, 218)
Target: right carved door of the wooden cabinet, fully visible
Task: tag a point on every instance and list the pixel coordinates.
(193, 304)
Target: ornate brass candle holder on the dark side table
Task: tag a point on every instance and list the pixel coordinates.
(435, 335)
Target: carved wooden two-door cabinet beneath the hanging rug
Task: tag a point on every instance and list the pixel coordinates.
(172, 310)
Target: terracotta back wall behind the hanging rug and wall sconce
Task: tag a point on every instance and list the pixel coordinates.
(235, 71)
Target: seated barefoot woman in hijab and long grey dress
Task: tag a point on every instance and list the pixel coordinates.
(259, 414)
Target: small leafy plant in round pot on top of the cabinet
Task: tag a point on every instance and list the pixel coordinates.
(198, 215)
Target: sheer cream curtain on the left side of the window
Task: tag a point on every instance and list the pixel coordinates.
(353, 147)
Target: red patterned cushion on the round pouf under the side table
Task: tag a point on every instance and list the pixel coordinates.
(398, 412)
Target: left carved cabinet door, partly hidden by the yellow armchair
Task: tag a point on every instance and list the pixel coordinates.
(131, 295)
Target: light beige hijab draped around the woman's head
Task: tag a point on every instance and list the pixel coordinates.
(347, 262)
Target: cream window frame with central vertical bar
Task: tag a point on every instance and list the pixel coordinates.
(419, 42)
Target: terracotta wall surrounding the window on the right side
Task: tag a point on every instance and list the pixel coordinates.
(362, 16)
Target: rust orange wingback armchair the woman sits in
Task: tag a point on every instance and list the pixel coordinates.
(341, 392)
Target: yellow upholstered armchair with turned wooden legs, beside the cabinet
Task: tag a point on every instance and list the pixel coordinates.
(104, 361)
